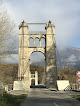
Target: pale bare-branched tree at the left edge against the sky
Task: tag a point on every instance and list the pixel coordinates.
(7, 28)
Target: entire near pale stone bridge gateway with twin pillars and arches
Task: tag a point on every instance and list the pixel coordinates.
(49, 51)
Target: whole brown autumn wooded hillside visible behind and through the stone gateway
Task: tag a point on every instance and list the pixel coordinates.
(9, 73)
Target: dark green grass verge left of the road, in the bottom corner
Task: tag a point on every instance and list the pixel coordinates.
(11, 100)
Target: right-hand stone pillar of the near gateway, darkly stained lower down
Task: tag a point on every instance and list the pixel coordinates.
(51, 67)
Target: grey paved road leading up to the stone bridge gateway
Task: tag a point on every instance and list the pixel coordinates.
(45, 97)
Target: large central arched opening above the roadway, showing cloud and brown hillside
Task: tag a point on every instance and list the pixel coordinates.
(37, 63)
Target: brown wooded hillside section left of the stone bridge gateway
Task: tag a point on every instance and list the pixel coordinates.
(8, 73)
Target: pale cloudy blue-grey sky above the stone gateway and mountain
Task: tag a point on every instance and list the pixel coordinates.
(65, 14)
